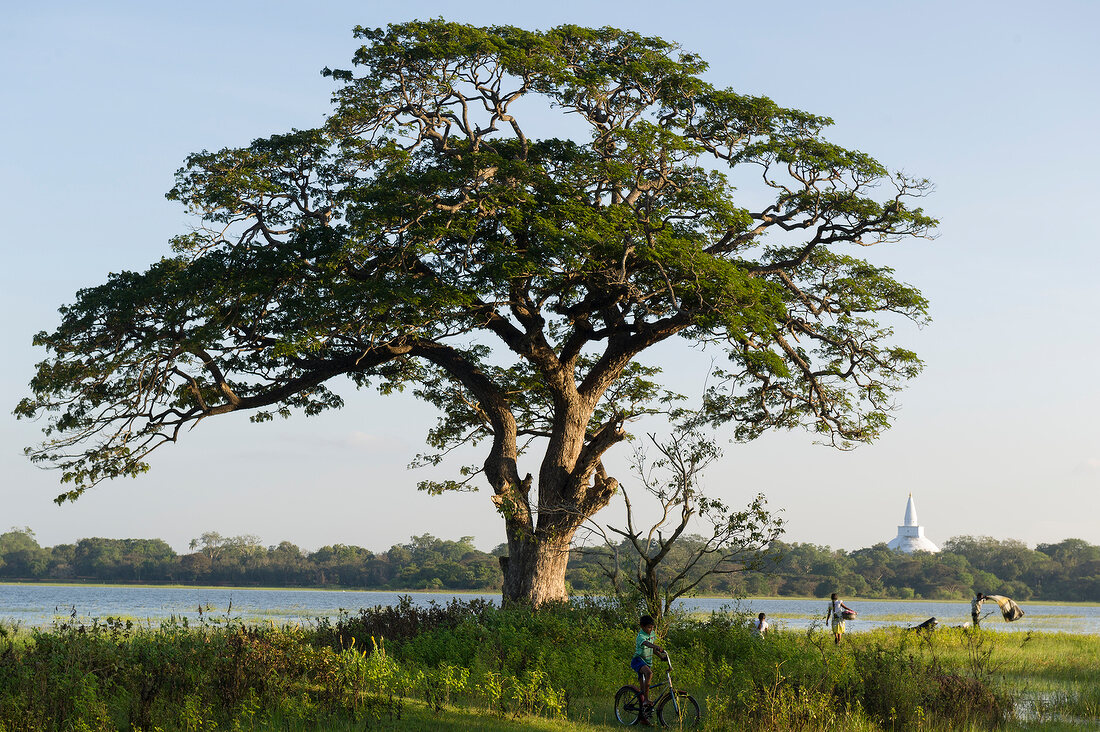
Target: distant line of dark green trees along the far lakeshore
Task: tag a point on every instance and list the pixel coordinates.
(1069, 571)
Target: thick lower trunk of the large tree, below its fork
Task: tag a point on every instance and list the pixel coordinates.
(535, 570)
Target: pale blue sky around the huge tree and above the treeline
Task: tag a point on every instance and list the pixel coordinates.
(996, 103)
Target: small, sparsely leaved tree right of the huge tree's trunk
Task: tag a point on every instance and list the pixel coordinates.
(665, 561)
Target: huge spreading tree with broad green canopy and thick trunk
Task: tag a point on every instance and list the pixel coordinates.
(504, 221)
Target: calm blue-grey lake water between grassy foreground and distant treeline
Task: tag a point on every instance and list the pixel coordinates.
(40, 606)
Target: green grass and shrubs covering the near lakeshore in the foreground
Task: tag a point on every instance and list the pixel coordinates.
(387, 667)
